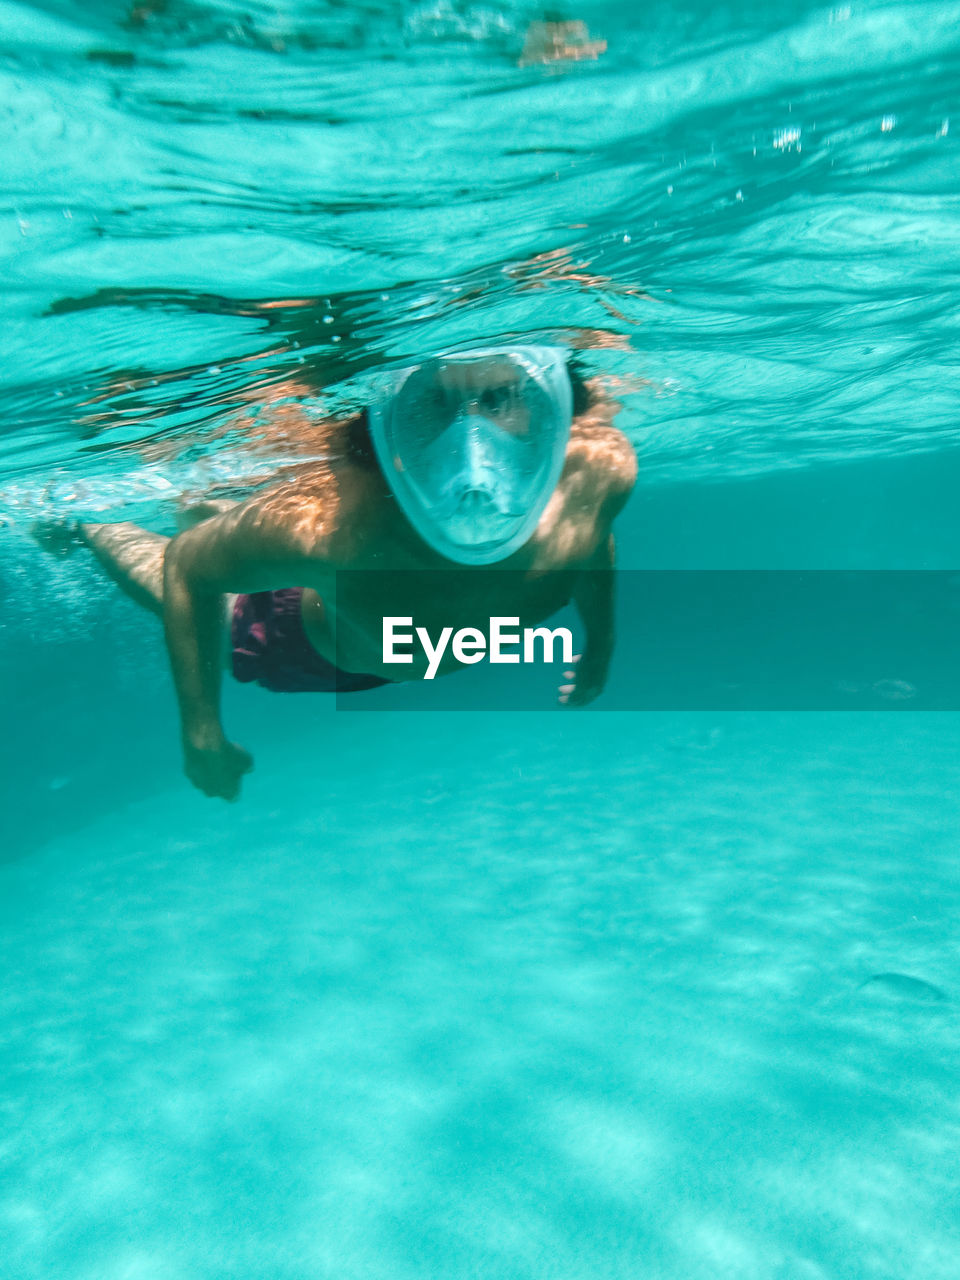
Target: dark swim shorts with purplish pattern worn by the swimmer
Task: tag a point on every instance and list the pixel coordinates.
(271, 647)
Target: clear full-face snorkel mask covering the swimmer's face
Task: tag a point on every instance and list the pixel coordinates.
(473, 446)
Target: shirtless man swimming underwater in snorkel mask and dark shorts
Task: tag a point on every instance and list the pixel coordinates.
(492, 459)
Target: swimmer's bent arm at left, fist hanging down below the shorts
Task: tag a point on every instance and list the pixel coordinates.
(241, 551)
